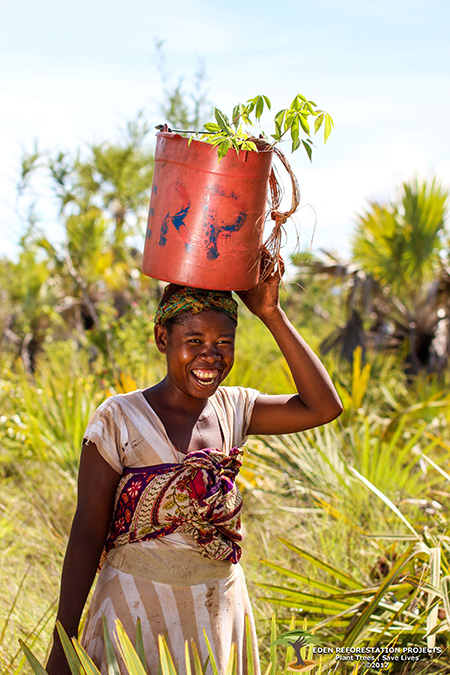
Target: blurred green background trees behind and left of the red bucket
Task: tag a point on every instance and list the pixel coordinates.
(79, 286)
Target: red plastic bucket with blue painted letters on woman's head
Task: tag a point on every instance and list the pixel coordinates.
(206, 218)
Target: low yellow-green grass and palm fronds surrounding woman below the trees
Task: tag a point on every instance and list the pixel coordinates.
(346, 524)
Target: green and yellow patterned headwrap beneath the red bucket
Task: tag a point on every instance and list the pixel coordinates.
(193, 300)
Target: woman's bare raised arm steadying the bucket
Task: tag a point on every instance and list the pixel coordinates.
(317, 401)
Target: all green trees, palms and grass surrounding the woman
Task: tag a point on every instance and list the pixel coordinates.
(347, 525)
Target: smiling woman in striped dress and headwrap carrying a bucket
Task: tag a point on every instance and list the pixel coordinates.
(180, 574)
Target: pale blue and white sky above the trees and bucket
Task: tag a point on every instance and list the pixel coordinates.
(74, 73)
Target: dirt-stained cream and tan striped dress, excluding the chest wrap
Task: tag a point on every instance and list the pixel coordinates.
(166, 582)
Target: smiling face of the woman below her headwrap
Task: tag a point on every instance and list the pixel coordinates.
(199, 351)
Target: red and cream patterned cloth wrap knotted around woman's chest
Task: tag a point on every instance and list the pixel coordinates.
(198, 497)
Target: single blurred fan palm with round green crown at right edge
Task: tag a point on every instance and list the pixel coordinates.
(403, 246)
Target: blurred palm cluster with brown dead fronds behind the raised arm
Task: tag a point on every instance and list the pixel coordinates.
(396, 290)
